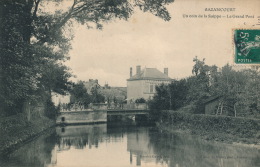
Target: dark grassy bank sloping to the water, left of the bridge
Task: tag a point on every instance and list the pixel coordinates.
(16, 129)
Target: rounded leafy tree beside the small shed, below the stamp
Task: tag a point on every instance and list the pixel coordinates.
(231, 86)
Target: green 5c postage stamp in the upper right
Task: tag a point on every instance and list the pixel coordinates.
(247, 46)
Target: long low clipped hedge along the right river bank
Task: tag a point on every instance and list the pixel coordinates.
(242, 127)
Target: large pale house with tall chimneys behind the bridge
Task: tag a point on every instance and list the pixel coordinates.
(143, 83)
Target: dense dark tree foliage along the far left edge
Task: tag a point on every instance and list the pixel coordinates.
(18, 79)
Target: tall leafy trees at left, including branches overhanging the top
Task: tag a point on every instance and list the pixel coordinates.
(35, 39)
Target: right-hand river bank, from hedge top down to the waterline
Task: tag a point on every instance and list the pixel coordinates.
(211, 127)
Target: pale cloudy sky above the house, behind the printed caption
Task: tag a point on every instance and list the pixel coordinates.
(151, 42)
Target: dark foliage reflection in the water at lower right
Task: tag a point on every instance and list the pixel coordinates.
(184, 150)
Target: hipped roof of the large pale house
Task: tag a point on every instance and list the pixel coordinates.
(150, 74)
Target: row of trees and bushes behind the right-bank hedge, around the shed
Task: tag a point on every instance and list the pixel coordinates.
(238, 89)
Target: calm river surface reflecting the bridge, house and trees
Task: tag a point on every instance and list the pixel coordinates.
(102, 145)
